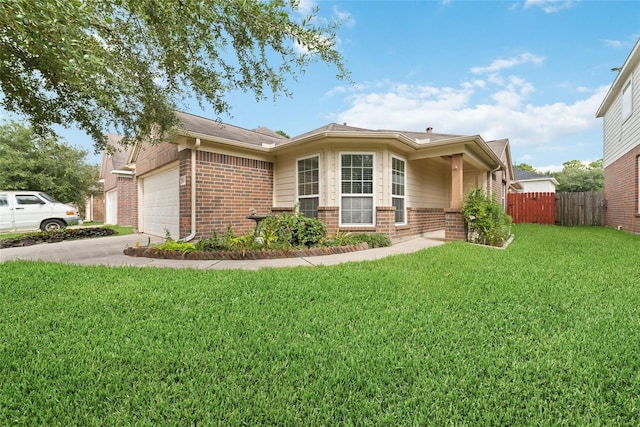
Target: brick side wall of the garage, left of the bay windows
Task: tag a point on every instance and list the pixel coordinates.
(227, 188)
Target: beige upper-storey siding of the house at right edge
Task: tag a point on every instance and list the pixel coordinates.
(621, 136)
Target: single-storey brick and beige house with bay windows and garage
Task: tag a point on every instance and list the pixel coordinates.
(212, 175)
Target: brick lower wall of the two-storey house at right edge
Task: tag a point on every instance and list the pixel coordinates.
(621, 192)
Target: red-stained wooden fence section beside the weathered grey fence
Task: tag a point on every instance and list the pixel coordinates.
(537, 208)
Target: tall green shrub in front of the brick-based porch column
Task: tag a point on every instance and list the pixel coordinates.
(488, 223)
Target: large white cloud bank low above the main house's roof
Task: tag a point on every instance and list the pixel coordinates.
(450, 110)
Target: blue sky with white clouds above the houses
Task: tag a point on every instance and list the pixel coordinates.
(532, 71)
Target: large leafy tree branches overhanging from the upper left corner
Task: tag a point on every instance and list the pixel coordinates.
(126, 64)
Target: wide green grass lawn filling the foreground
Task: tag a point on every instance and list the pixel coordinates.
(546, 332)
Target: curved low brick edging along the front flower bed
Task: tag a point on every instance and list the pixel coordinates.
(151, 252)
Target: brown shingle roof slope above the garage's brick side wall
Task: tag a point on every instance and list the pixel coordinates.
(217, 129)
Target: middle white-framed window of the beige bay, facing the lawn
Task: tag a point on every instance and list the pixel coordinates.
(356, 181)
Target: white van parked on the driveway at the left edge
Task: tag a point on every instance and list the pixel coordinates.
(32, 210)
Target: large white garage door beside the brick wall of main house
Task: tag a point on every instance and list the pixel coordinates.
(161, 204)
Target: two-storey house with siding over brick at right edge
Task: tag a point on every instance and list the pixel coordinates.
(621, 112)
